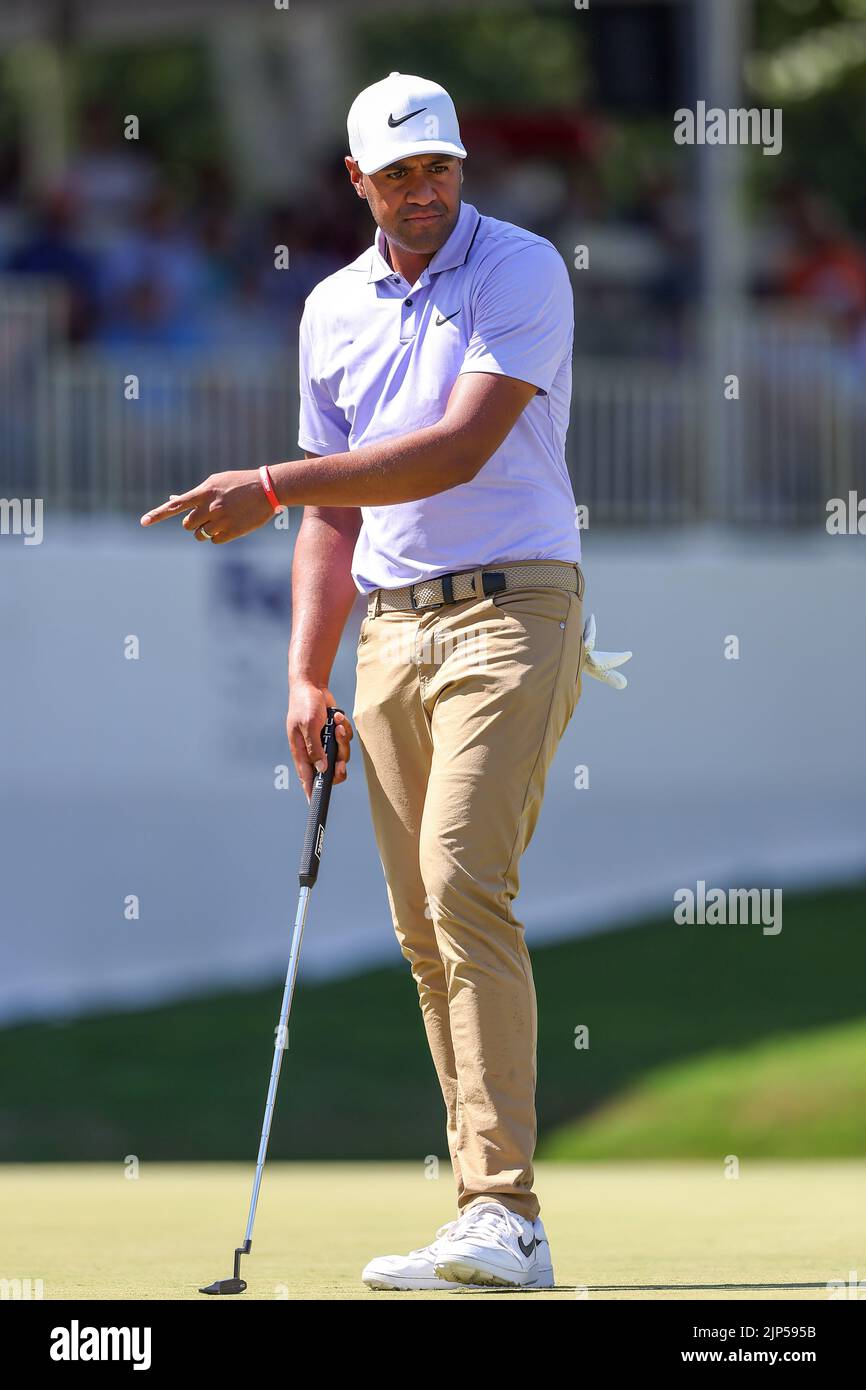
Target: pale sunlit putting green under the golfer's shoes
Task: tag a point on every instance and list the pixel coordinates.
(675, 1231)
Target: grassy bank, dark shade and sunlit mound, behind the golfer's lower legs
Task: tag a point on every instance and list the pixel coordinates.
(703, 1042)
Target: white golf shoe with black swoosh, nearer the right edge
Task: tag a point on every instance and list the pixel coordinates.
(491, 1245)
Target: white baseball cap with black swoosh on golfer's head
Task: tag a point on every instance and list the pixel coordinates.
(398, 117)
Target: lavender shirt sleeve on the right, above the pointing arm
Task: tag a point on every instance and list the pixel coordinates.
(525, 318)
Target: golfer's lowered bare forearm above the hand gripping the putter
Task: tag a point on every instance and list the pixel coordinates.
(323, 596)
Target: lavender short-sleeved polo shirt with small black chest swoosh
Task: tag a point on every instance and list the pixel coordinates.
(379, 359)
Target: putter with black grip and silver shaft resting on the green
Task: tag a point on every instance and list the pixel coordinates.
(311, 860)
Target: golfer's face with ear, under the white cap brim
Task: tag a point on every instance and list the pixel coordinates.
(416, 202)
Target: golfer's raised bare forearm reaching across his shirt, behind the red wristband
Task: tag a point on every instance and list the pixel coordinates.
(407, 469)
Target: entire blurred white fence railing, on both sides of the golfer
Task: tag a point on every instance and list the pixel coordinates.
(91, 432)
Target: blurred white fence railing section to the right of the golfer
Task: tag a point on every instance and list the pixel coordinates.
(790, 439)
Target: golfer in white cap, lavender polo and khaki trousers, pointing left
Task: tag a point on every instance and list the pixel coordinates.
(436, 380)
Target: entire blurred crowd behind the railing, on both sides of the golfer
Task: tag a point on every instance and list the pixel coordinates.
(149, 262)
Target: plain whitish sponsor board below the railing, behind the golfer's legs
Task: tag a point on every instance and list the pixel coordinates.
(147, 851)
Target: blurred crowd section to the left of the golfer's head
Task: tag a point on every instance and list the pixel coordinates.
(149, 265)
